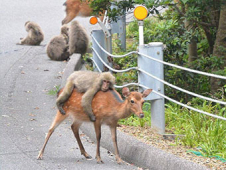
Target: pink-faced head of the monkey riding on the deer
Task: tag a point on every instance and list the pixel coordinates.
(107, 81)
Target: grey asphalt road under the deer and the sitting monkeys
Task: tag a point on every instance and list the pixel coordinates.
(26, 108)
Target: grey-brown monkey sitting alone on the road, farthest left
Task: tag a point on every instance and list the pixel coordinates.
(35, 35)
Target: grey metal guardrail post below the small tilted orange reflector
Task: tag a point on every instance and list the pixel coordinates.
(105, 43)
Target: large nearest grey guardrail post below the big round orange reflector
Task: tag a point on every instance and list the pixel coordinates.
(155, 50)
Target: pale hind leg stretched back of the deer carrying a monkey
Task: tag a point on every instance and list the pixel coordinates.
(58, 119)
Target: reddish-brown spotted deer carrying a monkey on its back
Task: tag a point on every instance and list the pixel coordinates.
(108, 107)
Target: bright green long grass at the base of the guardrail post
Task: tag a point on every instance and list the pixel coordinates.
(201, 133)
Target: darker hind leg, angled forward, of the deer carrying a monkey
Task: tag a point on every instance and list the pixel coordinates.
(75, 128)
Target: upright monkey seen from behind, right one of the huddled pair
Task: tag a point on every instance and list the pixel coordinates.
(78, 39)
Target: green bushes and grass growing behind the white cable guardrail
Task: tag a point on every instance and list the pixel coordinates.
(202, 133)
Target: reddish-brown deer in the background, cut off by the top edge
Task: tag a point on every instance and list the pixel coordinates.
(78, 8)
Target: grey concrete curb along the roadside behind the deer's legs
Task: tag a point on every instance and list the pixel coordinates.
(132, 150)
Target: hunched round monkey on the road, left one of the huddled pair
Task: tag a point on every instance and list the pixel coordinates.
(58, 48)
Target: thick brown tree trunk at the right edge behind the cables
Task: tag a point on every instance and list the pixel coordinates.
(220, 46)
